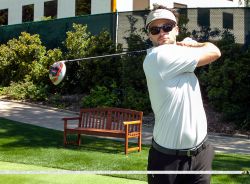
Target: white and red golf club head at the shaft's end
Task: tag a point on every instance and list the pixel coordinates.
(57, 72)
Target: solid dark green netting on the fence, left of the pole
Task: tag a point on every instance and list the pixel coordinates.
(53, 32)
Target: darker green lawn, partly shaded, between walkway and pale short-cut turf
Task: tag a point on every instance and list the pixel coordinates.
(32, 145)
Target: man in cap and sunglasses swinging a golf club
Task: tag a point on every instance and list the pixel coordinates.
(180, 130)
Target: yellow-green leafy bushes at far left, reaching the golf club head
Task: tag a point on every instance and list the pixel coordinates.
(24, 64)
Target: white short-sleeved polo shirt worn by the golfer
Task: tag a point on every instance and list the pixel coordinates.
(180, 119)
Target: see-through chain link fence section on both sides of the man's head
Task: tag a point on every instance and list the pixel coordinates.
(199, 23)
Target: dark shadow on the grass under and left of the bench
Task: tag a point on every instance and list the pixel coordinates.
(15, 134)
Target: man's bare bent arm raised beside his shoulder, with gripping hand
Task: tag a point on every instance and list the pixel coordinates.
(209, 52)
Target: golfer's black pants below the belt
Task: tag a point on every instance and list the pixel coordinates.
(158, 161)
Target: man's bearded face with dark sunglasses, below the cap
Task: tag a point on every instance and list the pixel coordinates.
(163, 31)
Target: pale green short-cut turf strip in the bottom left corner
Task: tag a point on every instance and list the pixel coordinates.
(55, 178)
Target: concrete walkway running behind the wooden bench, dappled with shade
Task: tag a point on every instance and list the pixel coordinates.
(51, 118)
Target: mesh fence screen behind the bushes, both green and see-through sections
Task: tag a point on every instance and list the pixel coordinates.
(53, 32)
